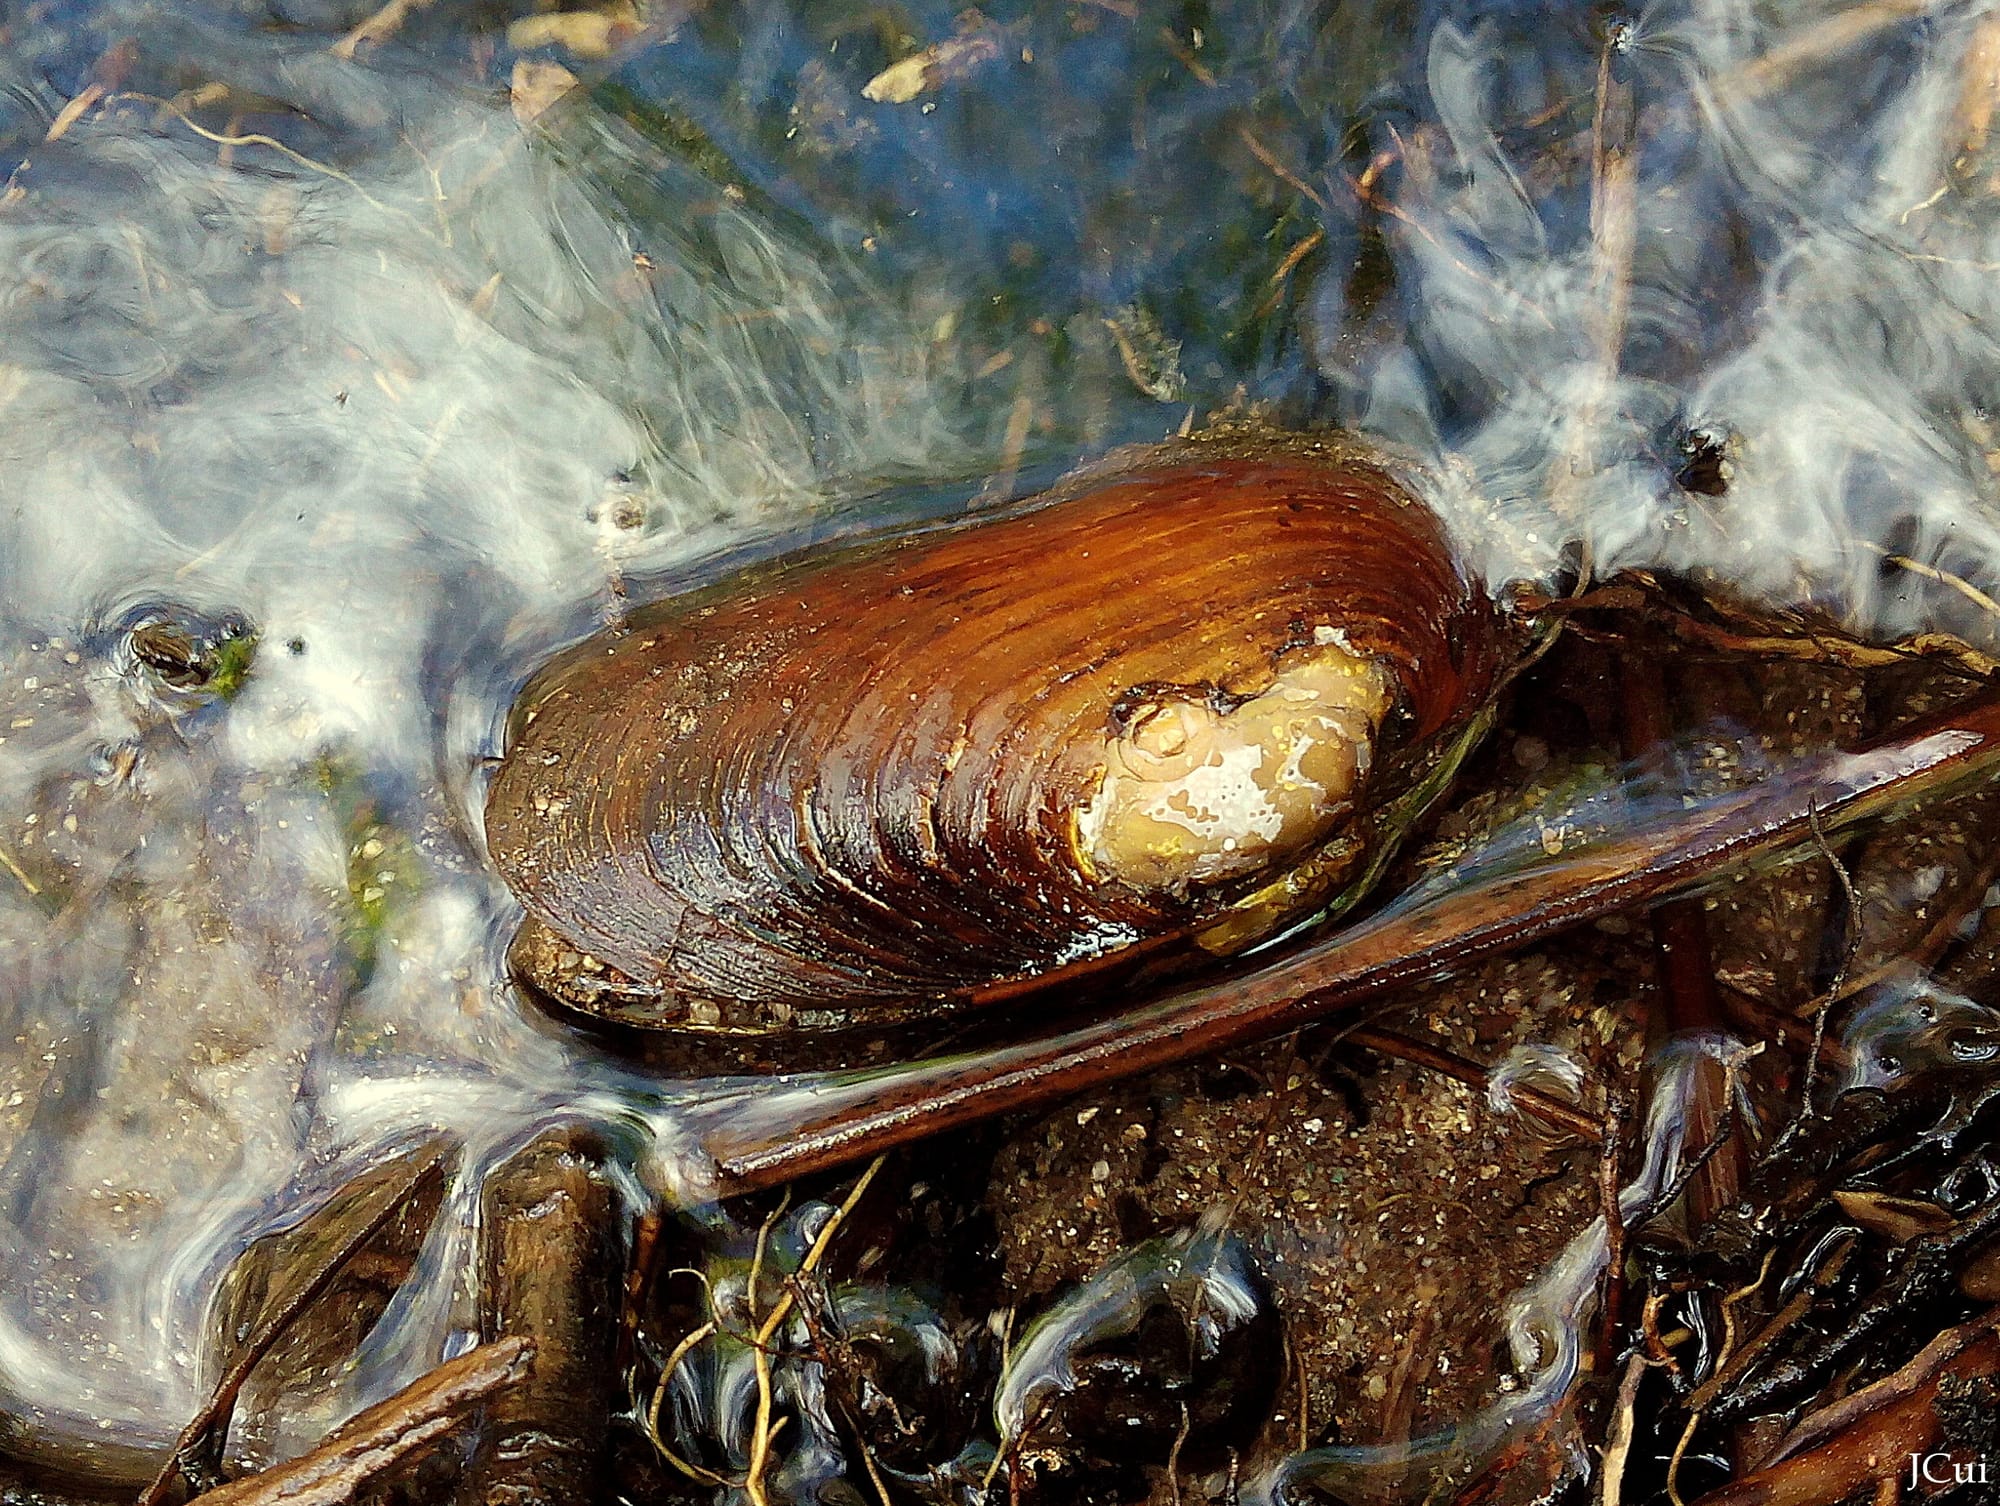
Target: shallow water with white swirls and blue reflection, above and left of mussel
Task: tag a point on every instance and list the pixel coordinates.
(417, 389)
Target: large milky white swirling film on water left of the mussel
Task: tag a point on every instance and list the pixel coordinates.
(417, 417)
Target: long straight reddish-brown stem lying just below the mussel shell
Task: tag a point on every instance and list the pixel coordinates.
(841, 1119)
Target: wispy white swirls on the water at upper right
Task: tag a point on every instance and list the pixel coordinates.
(1805, 279)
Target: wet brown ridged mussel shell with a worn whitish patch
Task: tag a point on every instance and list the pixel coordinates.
(865, 785)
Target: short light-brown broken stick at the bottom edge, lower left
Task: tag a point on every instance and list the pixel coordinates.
(387, 1433)
